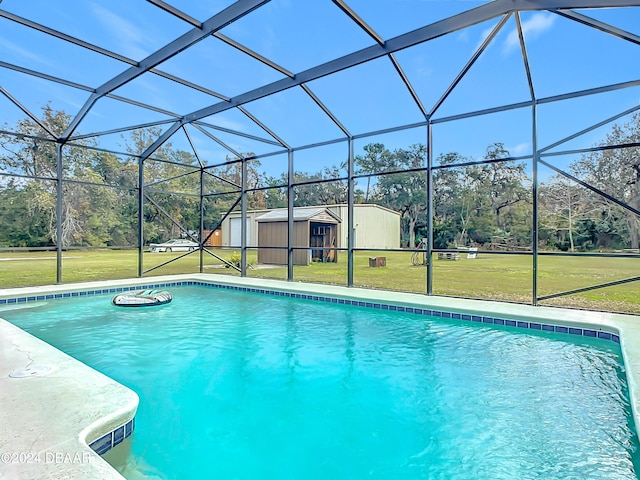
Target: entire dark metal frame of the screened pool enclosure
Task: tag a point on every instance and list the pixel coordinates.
(499, 10)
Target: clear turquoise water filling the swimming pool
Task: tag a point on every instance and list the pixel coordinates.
(237, 385)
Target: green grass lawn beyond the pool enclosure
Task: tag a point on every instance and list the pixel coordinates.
(496, 277)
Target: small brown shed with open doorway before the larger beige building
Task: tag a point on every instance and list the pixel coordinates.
(312, 227)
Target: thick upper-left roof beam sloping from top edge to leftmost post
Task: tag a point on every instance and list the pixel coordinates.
(218, 21)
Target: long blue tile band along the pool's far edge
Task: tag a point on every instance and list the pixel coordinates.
(537, 325)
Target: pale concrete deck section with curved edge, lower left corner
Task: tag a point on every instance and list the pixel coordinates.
(86, 406)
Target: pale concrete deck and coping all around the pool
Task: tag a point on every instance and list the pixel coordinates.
(60, 406)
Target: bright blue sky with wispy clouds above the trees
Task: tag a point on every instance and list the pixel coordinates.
(564, 55)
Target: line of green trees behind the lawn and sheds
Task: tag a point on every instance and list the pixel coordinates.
(485, 202)
